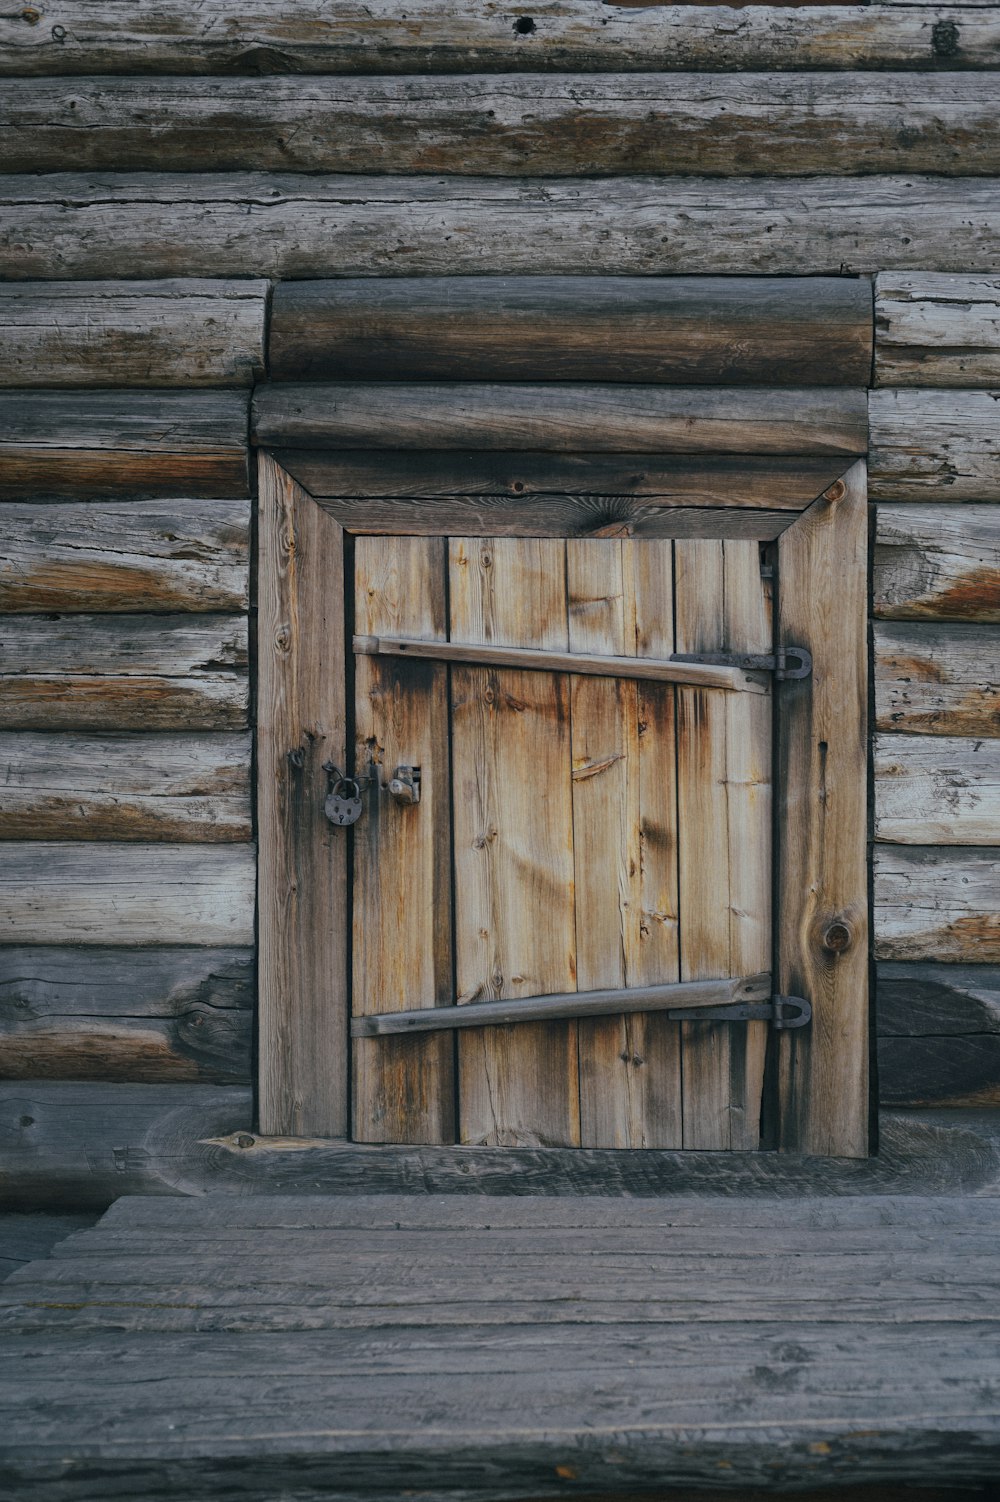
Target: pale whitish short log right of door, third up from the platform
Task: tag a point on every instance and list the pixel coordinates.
(938, 791)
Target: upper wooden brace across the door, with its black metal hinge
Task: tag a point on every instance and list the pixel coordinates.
(741, 672)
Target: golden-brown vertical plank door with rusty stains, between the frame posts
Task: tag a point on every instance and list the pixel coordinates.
(574, 833)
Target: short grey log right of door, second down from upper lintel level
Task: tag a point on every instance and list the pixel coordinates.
(942, 445)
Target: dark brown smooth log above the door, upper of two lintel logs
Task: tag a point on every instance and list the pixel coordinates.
(687, 330)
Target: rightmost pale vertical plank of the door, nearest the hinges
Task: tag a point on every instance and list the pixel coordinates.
(724, 846)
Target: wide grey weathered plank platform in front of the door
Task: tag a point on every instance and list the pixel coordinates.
(483, 1348)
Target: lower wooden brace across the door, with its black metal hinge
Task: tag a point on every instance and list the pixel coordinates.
(726, 1001)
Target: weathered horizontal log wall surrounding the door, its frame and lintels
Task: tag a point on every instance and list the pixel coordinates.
(163, 169)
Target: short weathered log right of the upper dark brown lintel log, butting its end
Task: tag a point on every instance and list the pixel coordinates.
(938, 331)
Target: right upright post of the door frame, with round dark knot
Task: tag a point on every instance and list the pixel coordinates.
(822, 827)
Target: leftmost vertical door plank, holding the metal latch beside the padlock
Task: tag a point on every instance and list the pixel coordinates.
(403, 1088)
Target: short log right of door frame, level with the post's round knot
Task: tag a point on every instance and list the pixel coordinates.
(938, 903)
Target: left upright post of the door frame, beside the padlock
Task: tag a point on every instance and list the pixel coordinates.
(303, 867)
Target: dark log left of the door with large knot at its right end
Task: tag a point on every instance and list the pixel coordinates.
(127, 1015)
